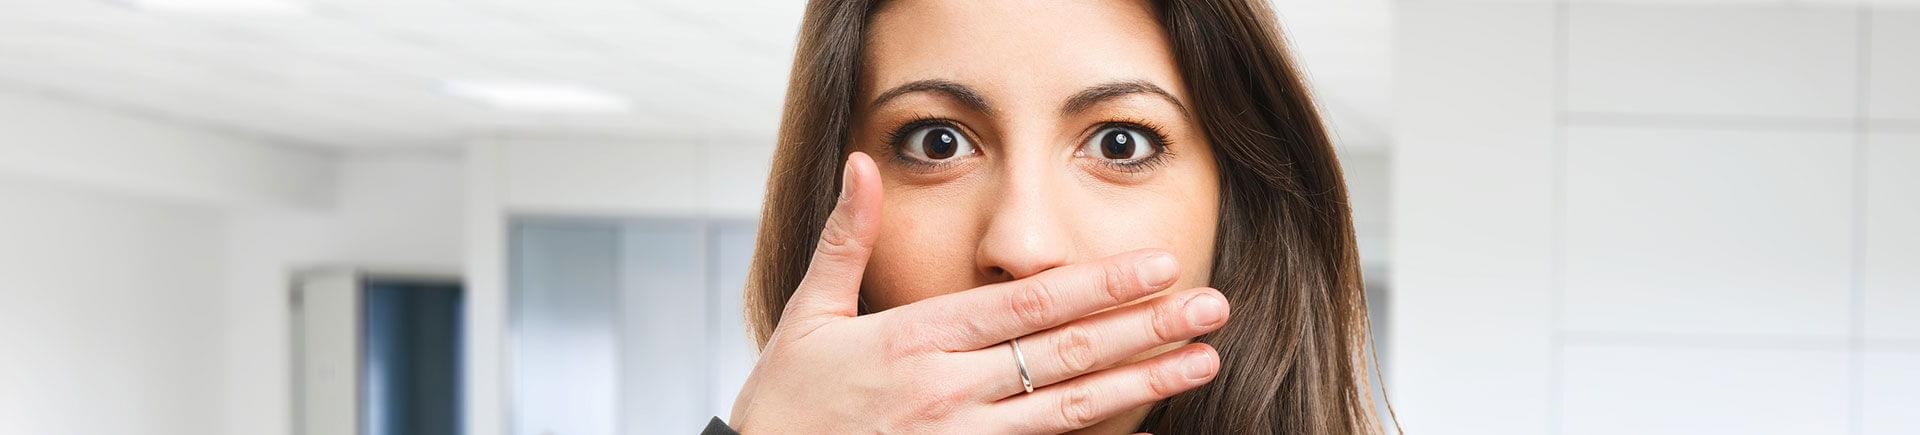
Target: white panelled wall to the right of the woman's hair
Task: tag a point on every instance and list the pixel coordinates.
(1656, 219)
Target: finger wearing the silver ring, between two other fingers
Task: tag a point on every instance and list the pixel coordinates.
(1109, 338)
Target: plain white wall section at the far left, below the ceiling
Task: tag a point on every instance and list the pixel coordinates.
(108, 311)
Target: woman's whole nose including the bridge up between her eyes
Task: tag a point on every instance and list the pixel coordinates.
(1026, 229)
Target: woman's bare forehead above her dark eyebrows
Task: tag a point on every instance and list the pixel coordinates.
(1015, 49)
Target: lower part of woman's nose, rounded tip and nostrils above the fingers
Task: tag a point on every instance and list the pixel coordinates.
(1024, 233)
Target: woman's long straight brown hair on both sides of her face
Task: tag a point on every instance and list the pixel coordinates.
(1295, 357)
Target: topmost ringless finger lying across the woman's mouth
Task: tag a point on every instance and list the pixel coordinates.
(996, 313)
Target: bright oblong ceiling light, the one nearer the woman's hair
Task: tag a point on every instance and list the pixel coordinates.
(537, 97)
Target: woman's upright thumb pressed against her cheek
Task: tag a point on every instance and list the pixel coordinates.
(832, 283)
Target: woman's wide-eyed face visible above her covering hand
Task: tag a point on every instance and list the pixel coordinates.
(1017, 137)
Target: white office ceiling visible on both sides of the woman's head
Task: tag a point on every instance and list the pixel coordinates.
(372, 74)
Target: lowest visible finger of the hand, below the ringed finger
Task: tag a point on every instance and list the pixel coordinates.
(1101, 396)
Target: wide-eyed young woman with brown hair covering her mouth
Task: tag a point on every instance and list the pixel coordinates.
(1032, 217)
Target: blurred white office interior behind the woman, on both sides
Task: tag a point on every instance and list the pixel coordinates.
(533, 217)
